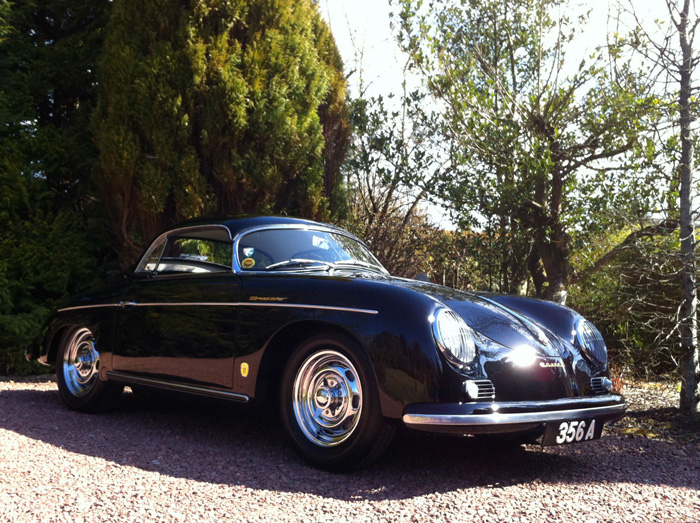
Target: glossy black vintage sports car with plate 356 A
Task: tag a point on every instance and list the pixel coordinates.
(249, 307)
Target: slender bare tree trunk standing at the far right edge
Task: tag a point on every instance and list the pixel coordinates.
(690, 387)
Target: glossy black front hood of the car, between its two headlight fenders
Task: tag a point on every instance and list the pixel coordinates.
(491, 319)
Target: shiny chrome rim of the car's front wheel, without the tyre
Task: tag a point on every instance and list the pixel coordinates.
(327, 398)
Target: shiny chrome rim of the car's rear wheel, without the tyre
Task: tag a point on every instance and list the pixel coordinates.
(81, 363)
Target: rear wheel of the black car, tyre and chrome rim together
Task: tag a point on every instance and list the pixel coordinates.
(77, 374)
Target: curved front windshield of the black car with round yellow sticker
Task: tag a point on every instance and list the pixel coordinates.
(280, 249)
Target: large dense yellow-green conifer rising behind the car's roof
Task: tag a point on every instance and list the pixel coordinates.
(213, 108)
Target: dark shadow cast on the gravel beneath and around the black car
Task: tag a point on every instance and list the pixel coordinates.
(221, 443)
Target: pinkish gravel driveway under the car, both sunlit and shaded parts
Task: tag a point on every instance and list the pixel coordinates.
(152, 461)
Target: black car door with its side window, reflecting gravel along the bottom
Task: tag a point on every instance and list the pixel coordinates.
(178, 316)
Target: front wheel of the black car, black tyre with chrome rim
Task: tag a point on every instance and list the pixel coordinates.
(330, 404)
